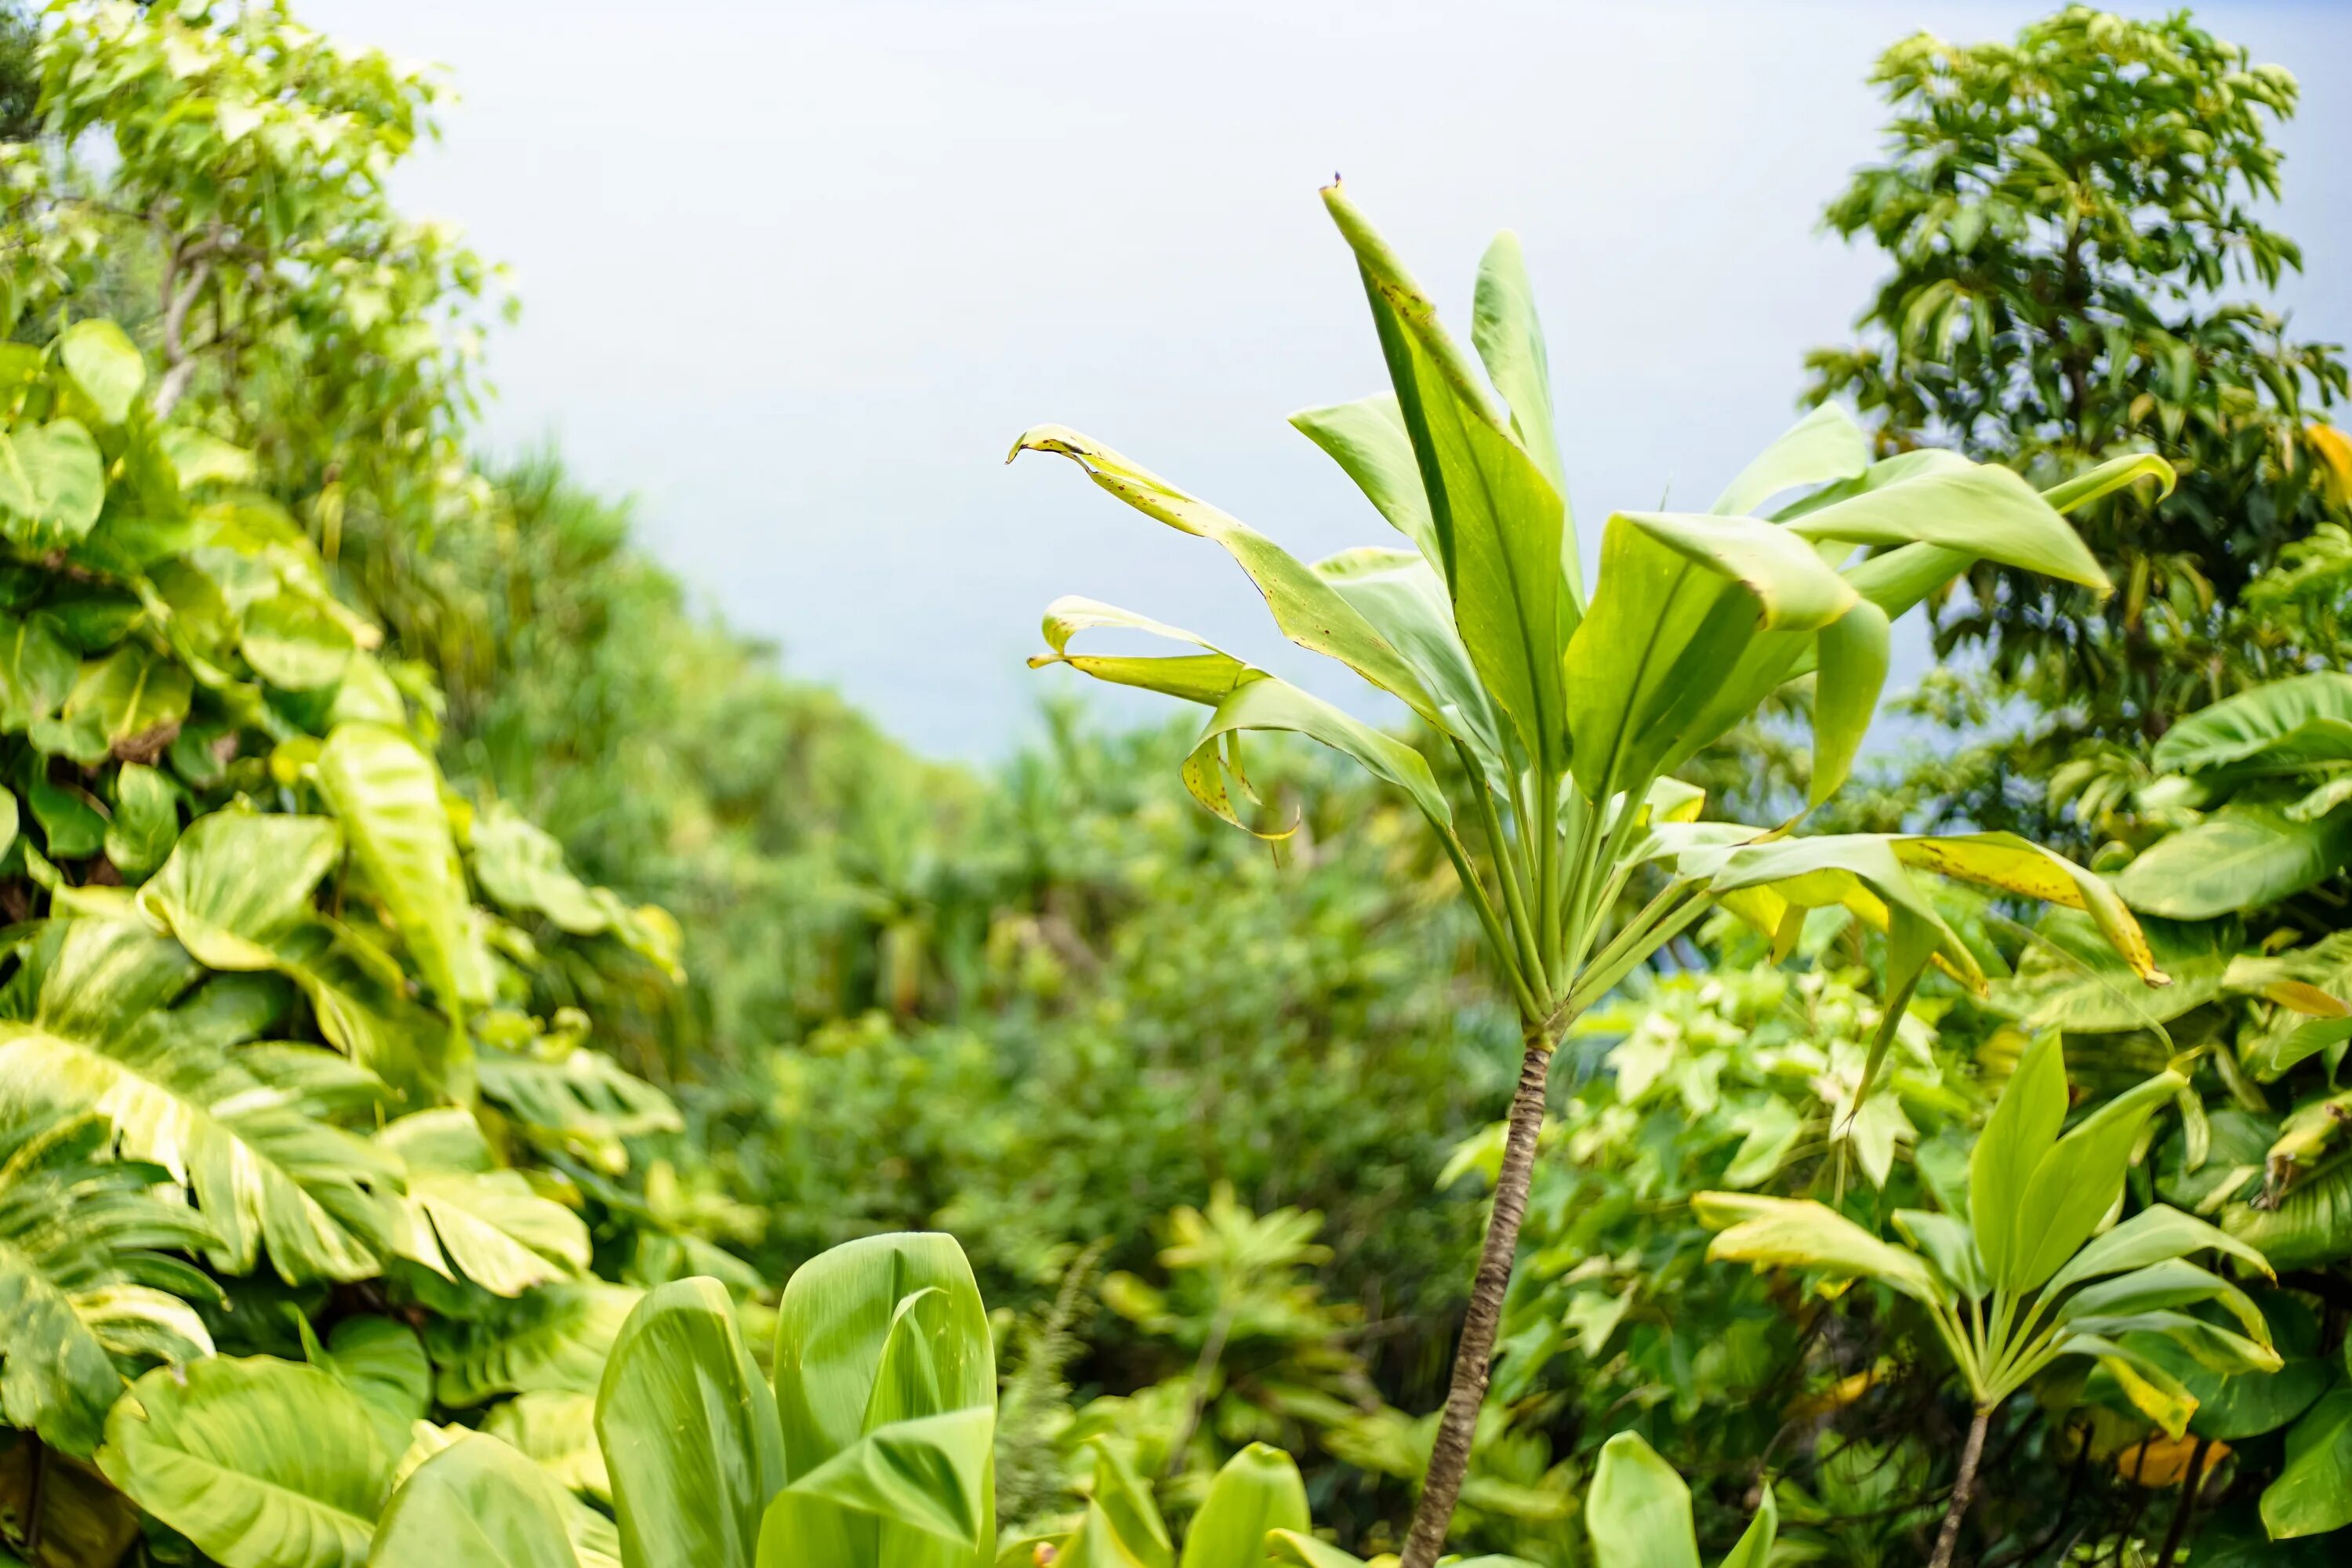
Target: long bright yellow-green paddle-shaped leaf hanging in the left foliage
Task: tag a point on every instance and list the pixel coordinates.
(387, 793)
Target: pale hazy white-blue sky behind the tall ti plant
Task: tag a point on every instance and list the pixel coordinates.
(796, 276)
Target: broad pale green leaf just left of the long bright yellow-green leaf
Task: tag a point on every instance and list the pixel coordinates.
(239, 883)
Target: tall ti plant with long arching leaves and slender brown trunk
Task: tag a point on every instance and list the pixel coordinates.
(1572, 711)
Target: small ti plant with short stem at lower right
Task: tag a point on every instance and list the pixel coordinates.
(2026, 1275)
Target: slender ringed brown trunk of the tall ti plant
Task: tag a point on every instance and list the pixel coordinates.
(1450, 1456)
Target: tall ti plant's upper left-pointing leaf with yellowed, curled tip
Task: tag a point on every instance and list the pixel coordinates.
(1302, 603)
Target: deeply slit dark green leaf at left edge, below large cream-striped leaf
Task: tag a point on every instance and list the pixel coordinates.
(86, 1278)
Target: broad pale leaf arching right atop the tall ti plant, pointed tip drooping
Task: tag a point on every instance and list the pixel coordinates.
(1982, 509)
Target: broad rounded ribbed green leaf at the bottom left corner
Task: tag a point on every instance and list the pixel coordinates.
(262, 1463)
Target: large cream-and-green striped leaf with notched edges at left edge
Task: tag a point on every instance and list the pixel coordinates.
(265, 1174)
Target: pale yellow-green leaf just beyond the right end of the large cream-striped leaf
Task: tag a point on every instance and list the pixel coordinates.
(465, 1217)
